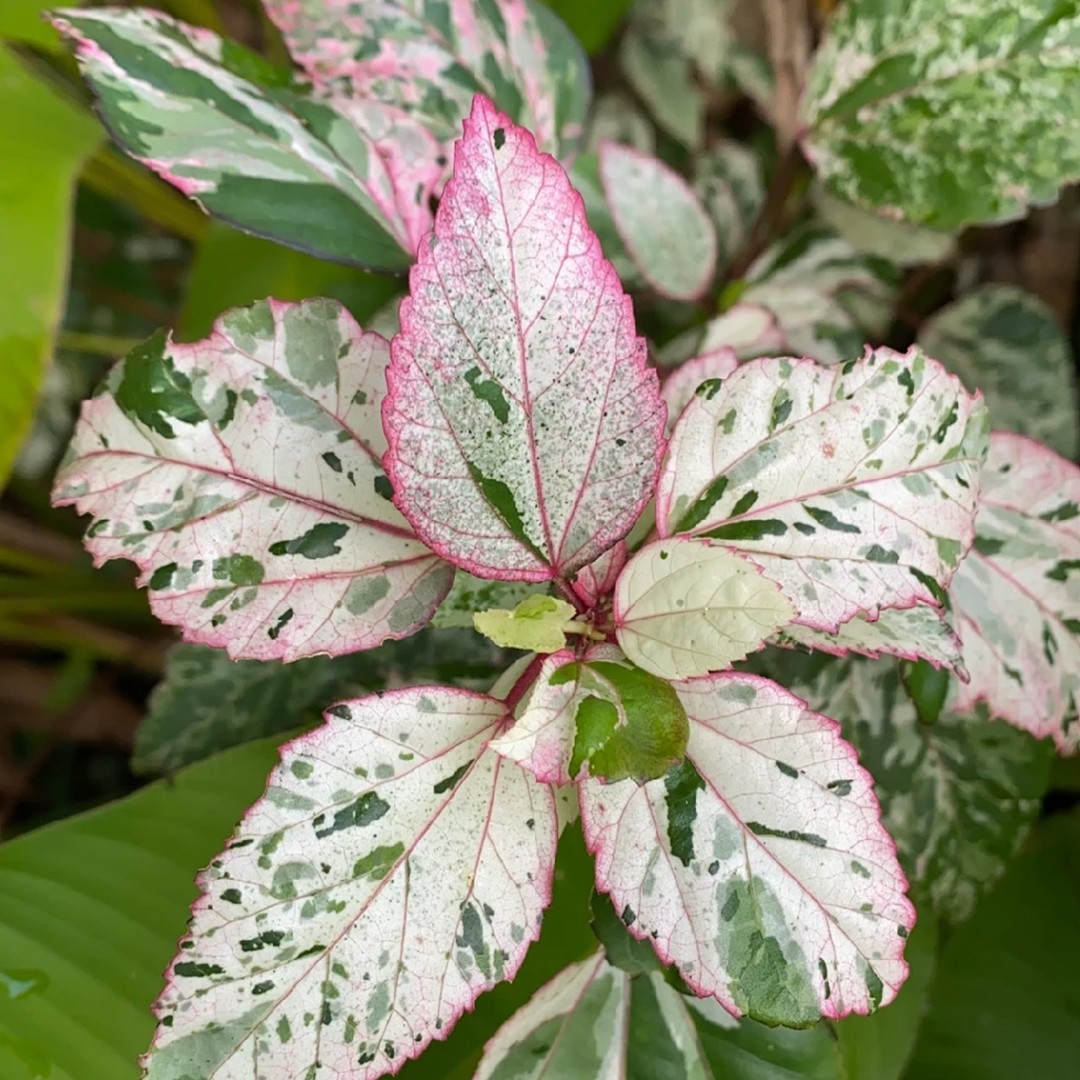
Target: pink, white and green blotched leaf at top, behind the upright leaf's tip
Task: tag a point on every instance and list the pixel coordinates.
(430, 60)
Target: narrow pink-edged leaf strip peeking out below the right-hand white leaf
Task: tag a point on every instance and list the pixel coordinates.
(915, 633)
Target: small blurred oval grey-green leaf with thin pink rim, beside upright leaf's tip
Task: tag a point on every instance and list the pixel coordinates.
(667, 232)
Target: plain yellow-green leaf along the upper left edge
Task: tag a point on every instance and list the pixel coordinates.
(44, 142)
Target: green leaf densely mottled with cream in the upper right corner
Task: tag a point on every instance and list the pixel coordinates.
(970, 119)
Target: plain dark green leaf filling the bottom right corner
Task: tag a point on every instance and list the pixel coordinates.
(1005, 1004)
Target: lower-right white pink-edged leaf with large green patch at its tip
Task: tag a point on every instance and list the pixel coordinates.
(760, 868)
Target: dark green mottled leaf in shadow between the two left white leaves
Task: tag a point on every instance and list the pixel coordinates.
(207, 703)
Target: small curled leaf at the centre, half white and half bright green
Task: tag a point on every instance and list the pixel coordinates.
(599, 717)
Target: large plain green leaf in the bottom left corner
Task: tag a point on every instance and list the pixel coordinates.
(90, 912)
